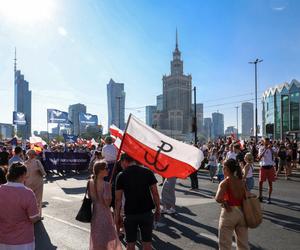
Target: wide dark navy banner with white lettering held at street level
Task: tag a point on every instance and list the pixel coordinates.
(66, 161)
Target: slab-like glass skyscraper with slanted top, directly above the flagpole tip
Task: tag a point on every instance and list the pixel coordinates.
(116, 104)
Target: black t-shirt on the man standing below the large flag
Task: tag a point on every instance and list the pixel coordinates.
(135, 181)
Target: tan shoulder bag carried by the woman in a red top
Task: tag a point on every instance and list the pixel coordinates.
(252, 211)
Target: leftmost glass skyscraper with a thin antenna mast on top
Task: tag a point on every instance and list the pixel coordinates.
(22, 101)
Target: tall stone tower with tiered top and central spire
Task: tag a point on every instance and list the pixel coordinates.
(175, 118)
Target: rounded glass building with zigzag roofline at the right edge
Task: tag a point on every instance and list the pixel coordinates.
(281, 111)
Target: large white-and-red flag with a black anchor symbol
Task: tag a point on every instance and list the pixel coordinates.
(162, 154)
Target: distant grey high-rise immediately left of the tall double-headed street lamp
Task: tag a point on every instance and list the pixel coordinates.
(247, 119)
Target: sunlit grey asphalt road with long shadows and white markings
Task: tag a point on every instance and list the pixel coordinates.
(195, 226)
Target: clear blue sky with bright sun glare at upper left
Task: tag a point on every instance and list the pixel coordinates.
(68, 50)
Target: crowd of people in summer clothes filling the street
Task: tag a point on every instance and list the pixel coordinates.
(125, 196)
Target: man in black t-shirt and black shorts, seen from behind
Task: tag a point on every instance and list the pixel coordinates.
(141, 196)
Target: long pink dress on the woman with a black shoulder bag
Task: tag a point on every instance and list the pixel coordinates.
(103, 232)
